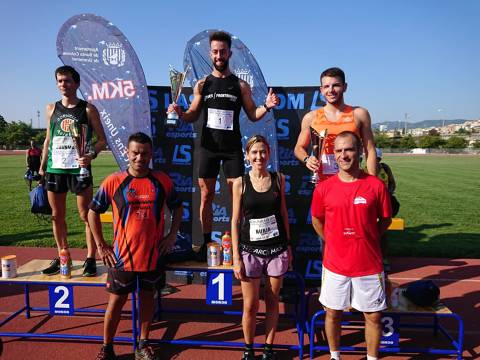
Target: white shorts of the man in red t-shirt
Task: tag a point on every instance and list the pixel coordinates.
(363, 293)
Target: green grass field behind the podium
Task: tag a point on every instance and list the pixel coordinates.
(438, 196)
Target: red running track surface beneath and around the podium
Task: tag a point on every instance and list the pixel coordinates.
(458, 279)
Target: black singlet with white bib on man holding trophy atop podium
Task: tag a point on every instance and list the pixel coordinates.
(222, 102)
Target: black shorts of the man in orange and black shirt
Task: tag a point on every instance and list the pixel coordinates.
(122, 282)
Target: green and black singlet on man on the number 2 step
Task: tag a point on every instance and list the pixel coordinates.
(61, 150)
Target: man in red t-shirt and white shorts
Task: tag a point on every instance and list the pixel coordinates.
(350, 211)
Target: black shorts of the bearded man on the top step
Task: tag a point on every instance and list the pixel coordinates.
(209, 164)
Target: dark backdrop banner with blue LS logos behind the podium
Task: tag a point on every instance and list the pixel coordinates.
(176, 152)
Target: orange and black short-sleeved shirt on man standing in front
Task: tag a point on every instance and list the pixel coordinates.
(137, 206)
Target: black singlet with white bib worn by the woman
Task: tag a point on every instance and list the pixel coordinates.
(262, 230)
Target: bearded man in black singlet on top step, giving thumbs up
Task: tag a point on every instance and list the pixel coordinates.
(221, 96)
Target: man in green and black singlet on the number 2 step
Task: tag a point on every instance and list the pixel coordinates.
(61, 165)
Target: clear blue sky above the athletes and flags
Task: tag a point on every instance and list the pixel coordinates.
(400, 57)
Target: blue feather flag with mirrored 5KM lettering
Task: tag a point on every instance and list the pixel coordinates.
(111, 77)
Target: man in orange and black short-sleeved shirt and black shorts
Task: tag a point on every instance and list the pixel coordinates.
(138, 197)
